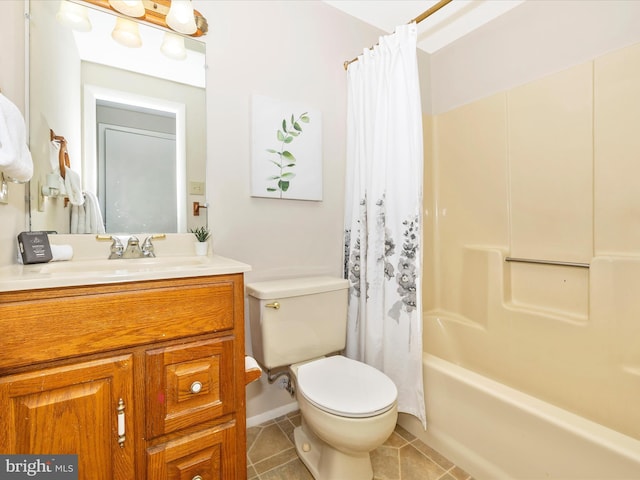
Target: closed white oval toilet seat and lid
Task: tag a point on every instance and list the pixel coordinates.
(346, 387)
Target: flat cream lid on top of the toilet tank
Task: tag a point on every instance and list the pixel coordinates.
(294, 287)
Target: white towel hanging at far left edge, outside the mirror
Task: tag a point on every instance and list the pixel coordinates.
(15, 158)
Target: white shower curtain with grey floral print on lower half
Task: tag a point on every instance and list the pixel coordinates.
(383, 208)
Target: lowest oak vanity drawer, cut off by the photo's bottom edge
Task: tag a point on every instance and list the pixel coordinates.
(206, 455)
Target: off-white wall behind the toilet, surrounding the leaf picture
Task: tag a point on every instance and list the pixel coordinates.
(292, 51)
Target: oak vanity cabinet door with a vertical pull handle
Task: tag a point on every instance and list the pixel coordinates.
(73, 409)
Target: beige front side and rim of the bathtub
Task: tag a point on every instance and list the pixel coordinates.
(496, 432)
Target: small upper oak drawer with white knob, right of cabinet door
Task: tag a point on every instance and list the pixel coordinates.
(189, 384)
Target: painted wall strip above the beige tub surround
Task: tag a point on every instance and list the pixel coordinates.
(536, 38)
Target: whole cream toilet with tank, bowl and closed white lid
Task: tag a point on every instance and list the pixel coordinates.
(348, 408)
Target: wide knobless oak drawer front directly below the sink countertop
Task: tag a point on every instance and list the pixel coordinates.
(86, 320)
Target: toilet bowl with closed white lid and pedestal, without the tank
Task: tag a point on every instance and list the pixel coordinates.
(348, 409)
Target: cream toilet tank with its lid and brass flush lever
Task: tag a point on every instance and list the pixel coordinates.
(297, 319)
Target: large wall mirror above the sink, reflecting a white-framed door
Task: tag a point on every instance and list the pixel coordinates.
(133, 122)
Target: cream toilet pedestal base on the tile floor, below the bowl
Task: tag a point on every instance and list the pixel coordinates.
(325, 462)
